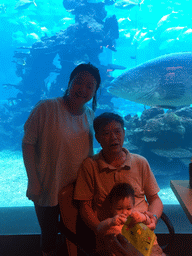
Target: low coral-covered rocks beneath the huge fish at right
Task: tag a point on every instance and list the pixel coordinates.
(167, 135)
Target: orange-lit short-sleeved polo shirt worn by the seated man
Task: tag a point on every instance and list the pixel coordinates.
(96, 178)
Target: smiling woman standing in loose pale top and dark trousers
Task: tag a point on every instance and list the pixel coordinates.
(58, 136)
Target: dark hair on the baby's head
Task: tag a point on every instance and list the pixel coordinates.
(121, 191)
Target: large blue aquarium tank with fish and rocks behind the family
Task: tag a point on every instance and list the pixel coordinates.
(142, 49)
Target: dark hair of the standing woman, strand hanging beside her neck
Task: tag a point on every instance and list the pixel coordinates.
(93, 71)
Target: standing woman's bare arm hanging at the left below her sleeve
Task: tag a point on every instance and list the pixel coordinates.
(29, 157)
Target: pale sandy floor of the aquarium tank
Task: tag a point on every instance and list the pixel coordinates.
(14, 182)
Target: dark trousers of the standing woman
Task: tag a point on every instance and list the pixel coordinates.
(48, 218)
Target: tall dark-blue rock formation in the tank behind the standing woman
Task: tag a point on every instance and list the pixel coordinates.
(80, 42)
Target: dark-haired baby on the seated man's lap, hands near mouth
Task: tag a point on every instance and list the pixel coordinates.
(121, 202)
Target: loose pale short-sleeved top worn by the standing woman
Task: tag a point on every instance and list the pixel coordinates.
(62, 142)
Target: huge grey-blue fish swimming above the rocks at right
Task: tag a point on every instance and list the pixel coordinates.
(165, 81)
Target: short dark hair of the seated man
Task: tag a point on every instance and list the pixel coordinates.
(105, 118)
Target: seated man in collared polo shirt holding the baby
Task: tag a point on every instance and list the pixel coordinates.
(114, 164)
